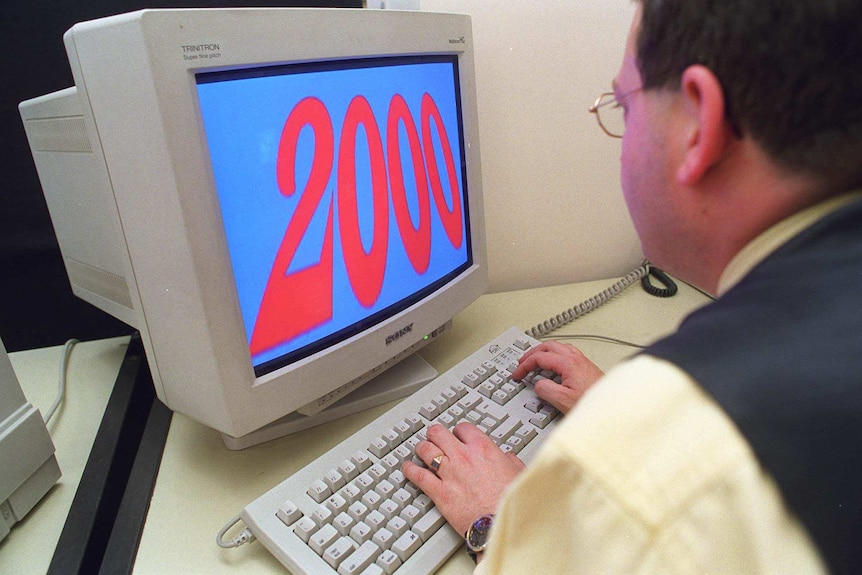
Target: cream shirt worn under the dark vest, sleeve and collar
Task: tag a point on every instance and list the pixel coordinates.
(648, 475)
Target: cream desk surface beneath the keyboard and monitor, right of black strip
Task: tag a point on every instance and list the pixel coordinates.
(202, 485)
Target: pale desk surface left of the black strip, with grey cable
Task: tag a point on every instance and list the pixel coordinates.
(92, 370)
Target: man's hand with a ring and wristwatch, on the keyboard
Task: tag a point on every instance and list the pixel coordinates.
(471, 477)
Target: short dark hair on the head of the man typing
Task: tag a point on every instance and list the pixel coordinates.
(791, 71)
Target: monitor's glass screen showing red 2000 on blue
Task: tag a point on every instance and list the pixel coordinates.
(342, 190)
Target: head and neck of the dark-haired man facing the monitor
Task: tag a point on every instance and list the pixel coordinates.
(739, 113)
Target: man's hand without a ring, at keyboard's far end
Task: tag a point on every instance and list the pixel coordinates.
(578, 373)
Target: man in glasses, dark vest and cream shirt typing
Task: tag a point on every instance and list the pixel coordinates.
(734, 445)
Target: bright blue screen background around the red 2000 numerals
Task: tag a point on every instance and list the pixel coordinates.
(243, 120)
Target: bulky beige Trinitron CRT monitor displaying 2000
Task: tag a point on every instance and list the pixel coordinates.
(285, 203)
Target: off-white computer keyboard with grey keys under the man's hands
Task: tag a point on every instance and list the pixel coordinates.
(352, 512)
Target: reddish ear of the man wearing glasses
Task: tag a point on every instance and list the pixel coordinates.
(708, 134)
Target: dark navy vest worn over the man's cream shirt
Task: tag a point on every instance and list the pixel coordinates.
(781, 352)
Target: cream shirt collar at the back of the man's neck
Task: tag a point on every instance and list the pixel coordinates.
(763, 245)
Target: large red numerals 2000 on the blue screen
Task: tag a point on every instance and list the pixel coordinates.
(296, 302)
